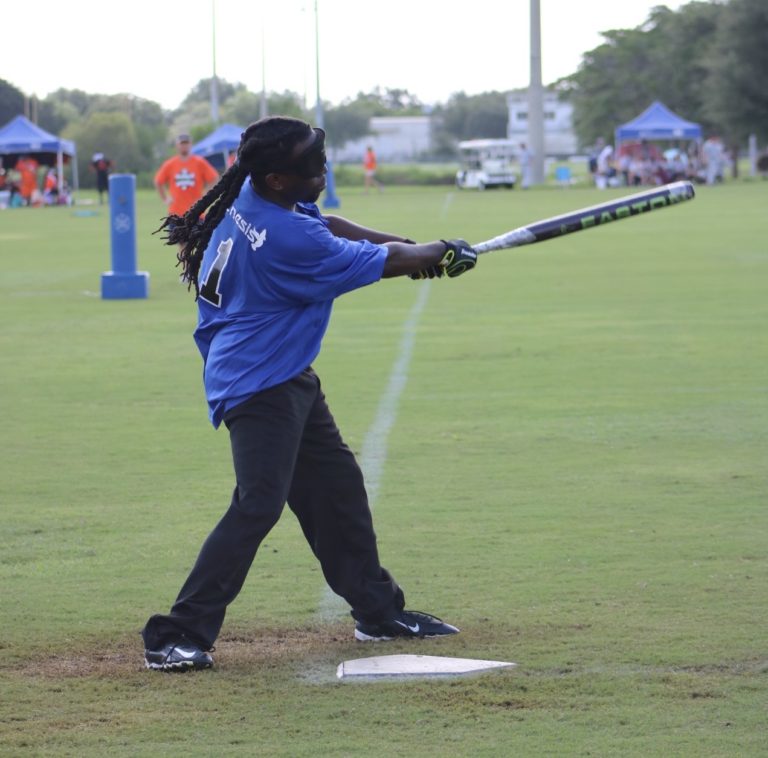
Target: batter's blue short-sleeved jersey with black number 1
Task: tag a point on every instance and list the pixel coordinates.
(267, 284)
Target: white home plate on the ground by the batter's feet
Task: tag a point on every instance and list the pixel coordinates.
(415, 665)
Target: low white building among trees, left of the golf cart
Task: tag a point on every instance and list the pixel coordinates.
(394, 139)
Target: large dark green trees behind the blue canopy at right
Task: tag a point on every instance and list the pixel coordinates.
(707, 61)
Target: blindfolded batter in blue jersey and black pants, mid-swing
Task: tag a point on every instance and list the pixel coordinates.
(266, 266)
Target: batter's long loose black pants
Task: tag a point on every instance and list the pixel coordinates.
(286, 447)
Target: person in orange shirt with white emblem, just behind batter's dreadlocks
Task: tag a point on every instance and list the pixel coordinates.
(182, 180)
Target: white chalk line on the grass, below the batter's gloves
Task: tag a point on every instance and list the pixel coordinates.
(373, 454)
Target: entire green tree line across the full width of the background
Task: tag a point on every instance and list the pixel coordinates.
(707, 61)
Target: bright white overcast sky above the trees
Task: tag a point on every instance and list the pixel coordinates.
(160, 49)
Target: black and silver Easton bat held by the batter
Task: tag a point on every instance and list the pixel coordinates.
(586, 218)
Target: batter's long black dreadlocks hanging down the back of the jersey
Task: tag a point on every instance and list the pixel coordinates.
(264, 145)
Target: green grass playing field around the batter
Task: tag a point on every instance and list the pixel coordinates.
(576, 477)
